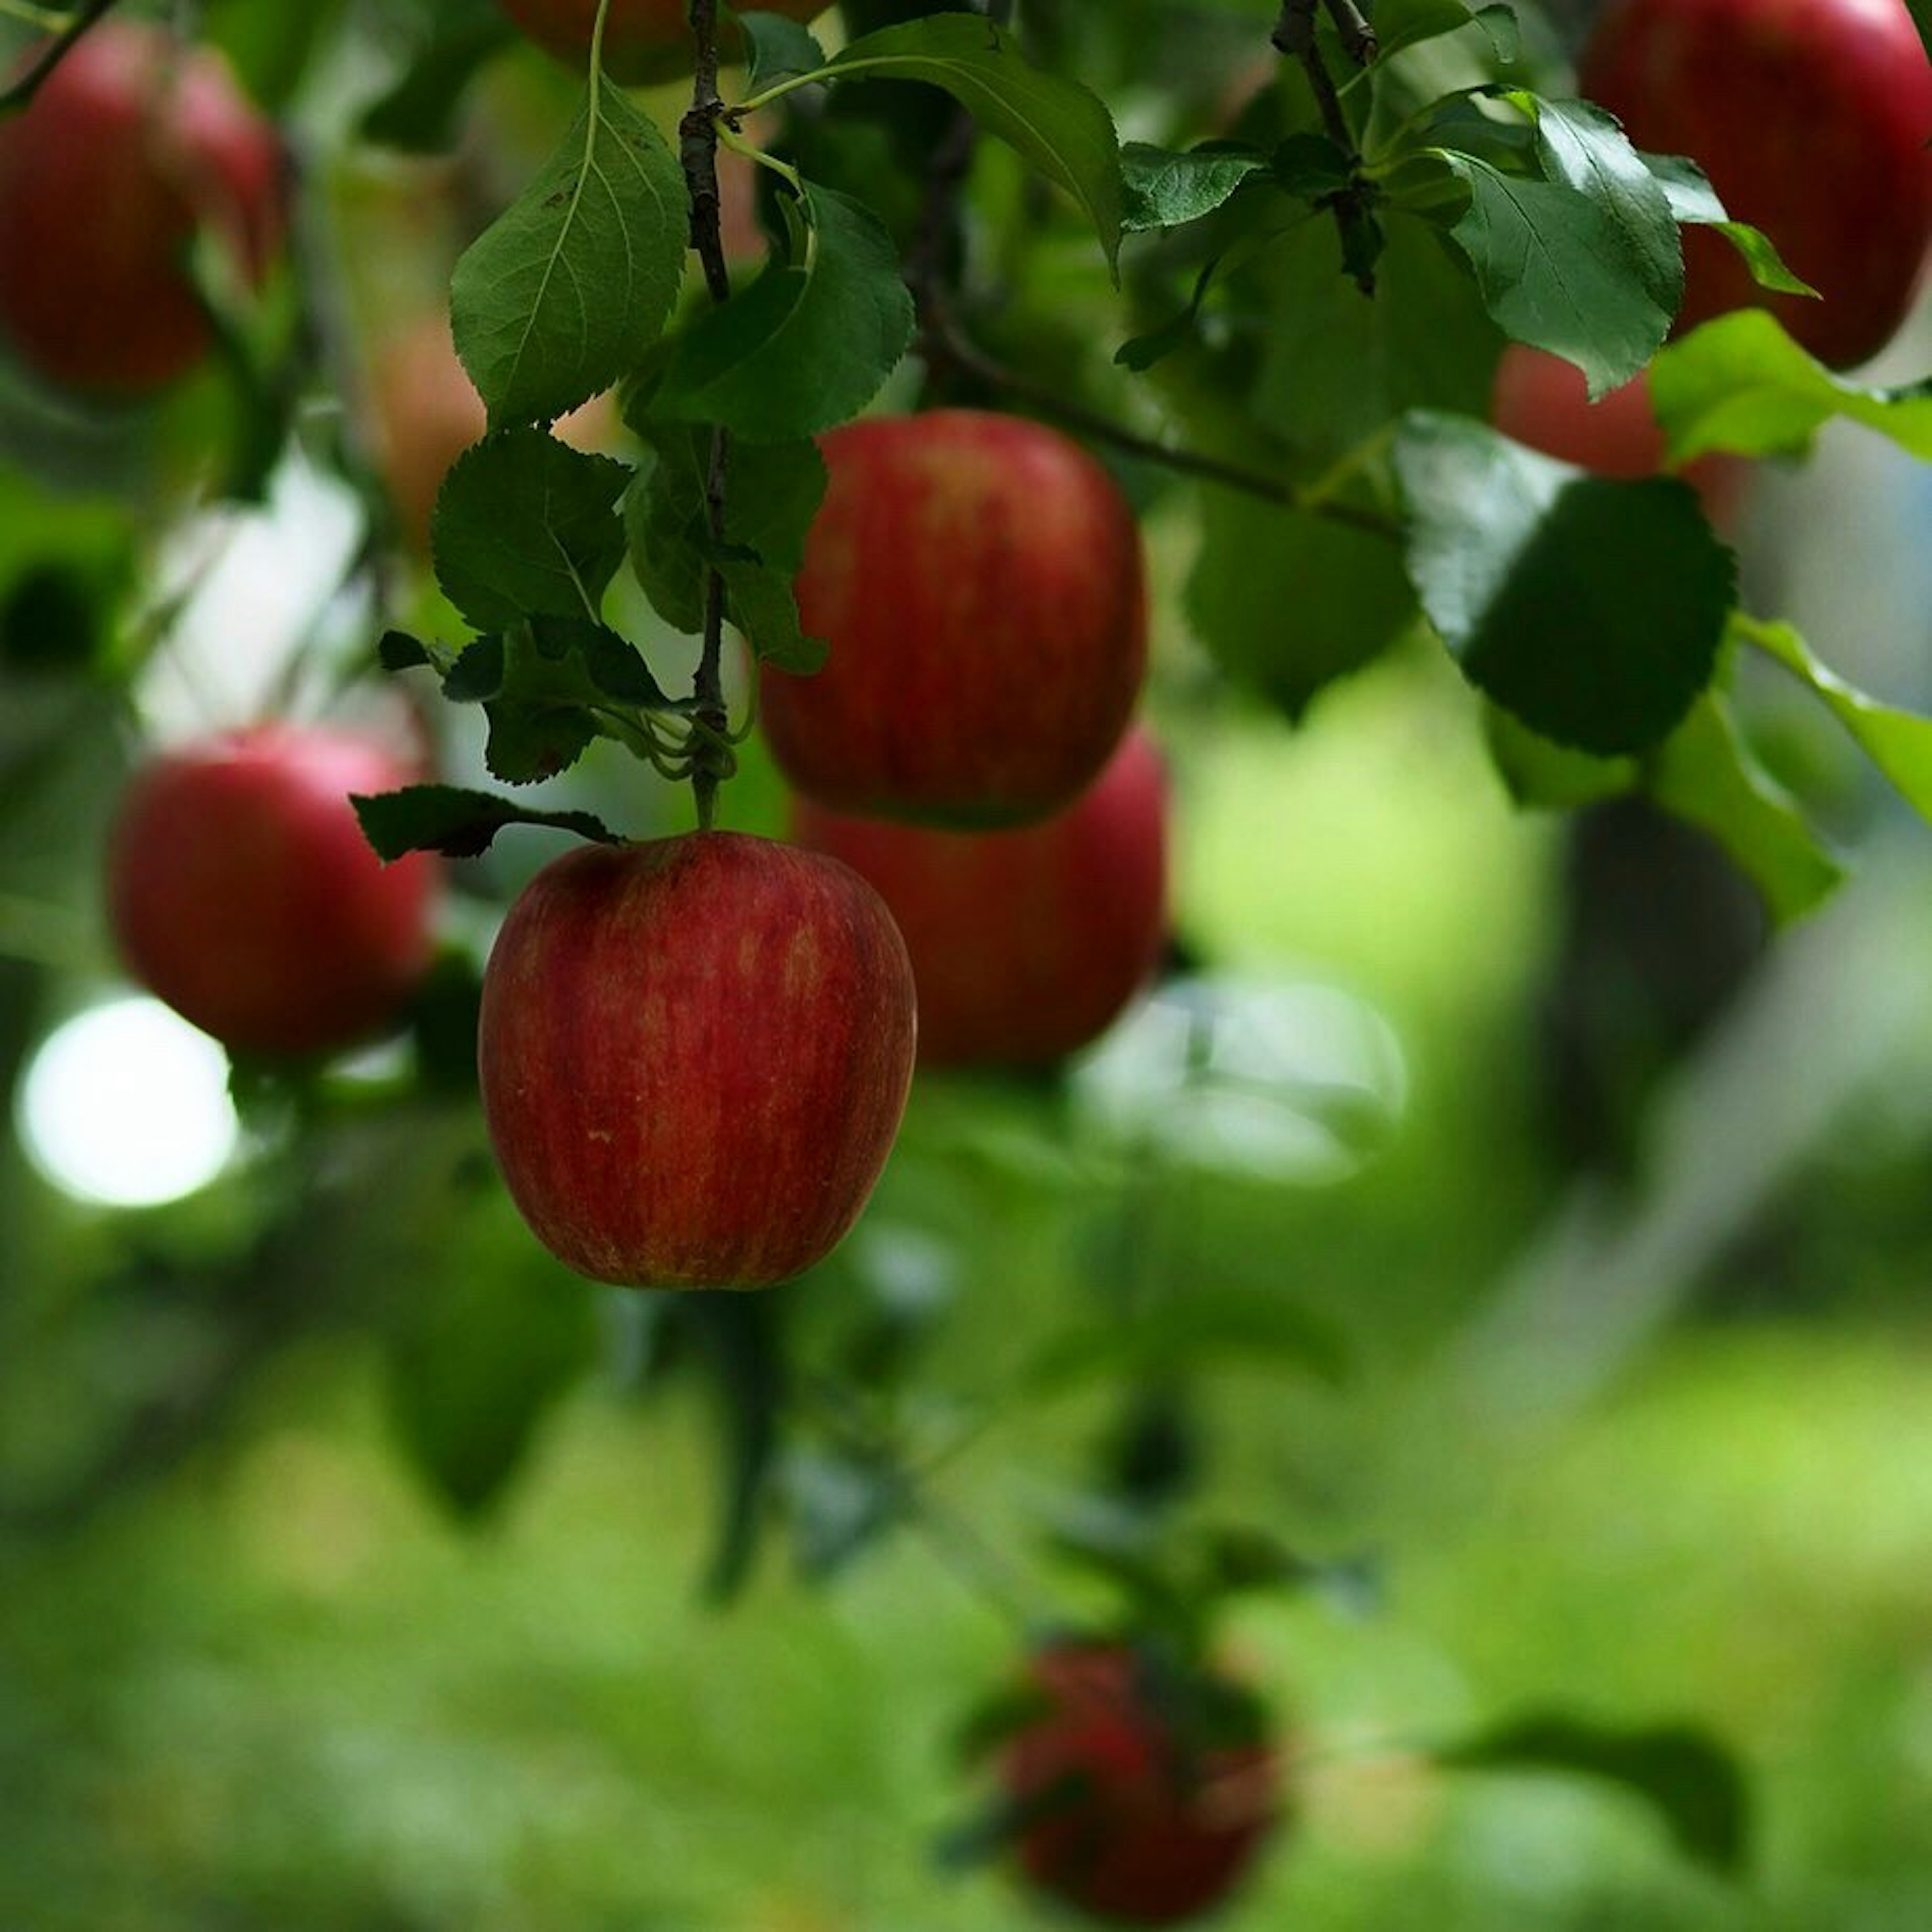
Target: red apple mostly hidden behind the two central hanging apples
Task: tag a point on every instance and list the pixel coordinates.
(1025, 944)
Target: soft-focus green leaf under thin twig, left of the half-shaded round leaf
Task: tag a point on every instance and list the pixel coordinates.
(1288, 604)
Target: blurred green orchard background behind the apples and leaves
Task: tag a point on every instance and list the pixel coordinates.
(1485, 1208)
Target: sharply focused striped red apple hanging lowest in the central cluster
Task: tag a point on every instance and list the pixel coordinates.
(695, 1058)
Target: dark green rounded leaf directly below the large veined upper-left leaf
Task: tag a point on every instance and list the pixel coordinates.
(526, 525)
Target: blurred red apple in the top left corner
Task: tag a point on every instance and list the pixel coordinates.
(128, 150)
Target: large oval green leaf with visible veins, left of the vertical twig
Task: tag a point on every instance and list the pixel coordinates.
(573, 285)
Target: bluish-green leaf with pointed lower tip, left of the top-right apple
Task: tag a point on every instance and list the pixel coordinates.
(1554, 270)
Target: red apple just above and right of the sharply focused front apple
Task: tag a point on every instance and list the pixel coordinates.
(979, 581)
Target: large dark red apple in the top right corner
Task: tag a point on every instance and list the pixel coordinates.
(1811, 121)
